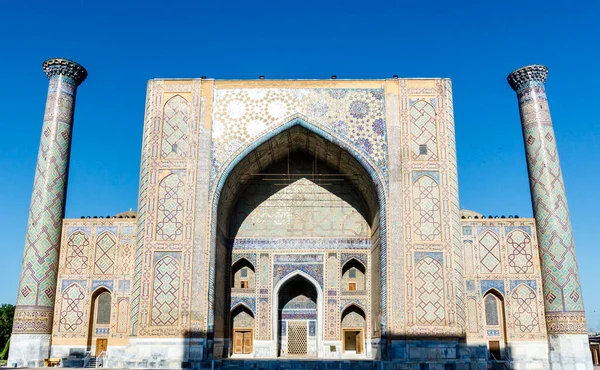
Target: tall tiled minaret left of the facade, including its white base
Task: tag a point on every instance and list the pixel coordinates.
(32, 328)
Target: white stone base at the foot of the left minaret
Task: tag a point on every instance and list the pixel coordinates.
(28, 350)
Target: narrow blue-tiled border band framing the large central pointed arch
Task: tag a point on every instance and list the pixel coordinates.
(376, 176)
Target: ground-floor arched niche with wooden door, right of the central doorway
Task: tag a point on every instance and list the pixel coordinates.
(353, 326)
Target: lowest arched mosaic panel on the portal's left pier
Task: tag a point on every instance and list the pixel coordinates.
(166, 287)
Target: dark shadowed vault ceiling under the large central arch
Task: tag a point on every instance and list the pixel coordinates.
(292, 155)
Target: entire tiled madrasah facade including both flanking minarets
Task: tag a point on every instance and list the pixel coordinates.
(299, 219)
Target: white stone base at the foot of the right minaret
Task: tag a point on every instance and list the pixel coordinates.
(570, 352)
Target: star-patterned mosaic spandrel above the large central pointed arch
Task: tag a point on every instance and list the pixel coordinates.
(241, 115)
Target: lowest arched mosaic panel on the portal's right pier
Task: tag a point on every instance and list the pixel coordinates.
(429, 292)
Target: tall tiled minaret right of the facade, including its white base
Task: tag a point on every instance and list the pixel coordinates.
(565, 315)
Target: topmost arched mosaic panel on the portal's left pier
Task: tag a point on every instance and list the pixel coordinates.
(175, 128)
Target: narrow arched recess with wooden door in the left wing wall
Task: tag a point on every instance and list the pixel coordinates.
(99, 320)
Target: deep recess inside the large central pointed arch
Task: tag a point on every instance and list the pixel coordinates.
(297, 202)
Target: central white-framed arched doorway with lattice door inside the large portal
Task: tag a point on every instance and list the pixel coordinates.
(298, 317)
